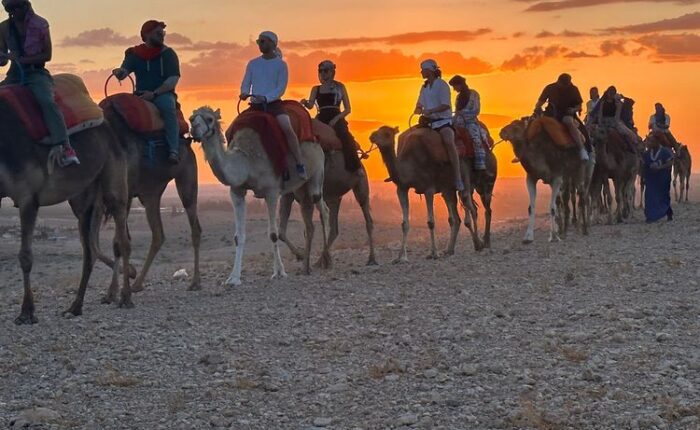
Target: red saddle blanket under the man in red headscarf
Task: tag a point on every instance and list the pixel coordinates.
(141, 116)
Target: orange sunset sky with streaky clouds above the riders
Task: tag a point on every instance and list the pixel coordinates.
(507, 49)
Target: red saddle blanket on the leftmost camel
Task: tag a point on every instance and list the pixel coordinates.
(79, 110)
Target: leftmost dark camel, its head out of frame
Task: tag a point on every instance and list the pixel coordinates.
(100, 179)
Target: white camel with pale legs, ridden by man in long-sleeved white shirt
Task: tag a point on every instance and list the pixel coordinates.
(243, 165)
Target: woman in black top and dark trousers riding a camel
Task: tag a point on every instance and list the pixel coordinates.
(328, 97)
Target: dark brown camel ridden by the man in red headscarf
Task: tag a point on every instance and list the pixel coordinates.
(148, 179)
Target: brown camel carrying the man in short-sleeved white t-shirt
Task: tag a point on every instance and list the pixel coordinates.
(415, 168)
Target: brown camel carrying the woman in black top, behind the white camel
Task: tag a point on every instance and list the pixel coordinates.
(338, 182)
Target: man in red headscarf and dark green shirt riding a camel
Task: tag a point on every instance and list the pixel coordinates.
(157, 70)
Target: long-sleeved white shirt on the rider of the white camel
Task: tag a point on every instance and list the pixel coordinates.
(266, 78)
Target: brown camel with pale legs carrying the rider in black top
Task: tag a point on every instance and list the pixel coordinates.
(543, 160)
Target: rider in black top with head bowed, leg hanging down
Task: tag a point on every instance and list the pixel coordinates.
(563, 103)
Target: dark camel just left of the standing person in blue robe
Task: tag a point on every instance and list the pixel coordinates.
(615, 161)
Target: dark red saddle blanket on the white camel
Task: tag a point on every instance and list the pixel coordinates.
(271, 135)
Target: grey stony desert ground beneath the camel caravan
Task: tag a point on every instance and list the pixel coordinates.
(596, 332)
